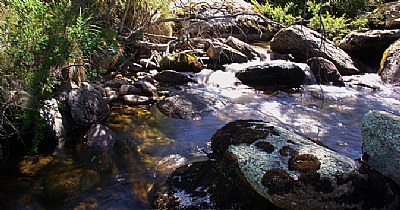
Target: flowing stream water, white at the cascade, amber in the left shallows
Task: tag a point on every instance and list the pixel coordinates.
(153, 145)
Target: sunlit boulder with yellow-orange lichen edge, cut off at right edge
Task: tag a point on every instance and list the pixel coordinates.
(390, 64)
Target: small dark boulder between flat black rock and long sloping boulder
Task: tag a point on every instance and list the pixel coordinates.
(325, 71)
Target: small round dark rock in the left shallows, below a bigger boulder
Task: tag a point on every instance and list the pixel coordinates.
(100, 138)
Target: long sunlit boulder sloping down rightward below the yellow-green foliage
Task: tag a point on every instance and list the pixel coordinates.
(304, 43)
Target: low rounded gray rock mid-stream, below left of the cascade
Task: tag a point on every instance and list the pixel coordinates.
(183, 106)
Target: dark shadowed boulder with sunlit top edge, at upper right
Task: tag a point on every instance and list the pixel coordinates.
(368, 46)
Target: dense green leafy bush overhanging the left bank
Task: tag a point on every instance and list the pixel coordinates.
(37, 39)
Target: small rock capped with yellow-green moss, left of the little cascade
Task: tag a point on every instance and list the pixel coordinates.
(181, 62)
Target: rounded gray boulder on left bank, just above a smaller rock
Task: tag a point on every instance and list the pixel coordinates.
(87, 105)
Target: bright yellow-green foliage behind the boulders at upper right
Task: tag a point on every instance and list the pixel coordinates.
(333, 18)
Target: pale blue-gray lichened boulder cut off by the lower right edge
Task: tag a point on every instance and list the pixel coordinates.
(381, 143)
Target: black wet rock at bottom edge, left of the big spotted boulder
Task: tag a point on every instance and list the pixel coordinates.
(207, 185)
